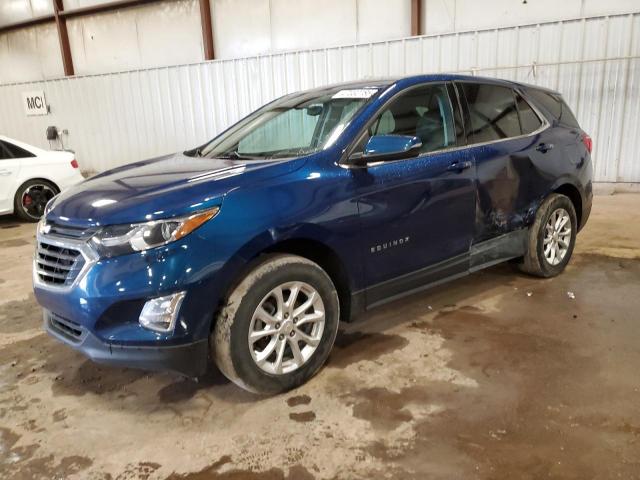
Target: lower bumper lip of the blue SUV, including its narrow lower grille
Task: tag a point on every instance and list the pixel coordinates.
(189, 359)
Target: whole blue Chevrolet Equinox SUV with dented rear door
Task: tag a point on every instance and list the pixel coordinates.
(248, 250)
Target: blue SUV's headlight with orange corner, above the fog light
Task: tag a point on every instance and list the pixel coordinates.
(121, 239)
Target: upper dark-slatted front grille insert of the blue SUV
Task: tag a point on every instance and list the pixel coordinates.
(57, 265)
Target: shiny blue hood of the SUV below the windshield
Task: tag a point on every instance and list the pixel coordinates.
(162, 187)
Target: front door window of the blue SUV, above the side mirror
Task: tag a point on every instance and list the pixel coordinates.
(424, 112)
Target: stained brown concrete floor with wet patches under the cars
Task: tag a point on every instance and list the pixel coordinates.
(495, 376)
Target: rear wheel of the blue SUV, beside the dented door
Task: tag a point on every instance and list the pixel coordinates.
(539, 260)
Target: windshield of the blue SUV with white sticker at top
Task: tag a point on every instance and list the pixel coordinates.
(296, 125)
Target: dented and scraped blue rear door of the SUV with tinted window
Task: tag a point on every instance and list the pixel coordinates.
(508, 140)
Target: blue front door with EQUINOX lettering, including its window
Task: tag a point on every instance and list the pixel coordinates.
(417, 215)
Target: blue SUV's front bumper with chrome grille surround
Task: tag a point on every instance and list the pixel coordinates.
(101, 304)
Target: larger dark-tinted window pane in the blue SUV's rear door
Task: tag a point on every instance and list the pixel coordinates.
(492, 112)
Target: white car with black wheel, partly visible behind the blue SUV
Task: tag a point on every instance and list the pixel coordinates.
(30, 177)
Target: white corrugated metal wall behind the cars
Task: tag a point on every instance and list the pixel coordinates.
(122, 117)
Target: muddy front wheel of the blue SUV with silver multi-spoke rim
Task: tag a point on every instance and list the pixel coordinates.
(245, 363)
